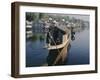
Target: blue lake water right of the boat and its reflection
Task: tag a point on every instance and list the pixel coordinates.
(79, 51)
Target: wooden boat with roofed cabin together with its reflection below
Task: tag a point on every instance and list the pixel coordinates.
(58, 50)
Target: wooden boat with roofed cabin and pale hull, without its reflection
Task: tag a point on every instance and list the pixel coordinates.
(62, 34)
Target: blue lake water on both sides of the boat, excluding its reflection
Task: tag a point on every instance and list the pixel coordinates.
(78, 52)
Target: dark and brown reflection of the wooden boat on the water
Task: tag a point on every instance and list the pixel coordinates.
(56, 58)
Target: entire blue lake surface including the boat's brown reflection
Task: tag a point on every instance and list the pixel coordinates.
(76, 52)
